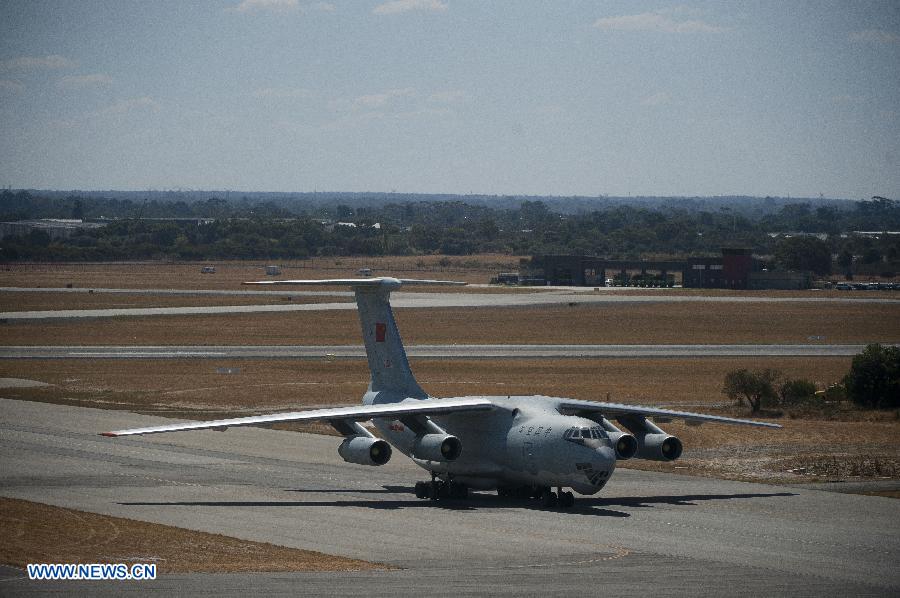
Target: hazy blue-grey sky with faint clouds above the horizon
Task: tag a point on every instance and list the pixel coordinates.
(564, 97)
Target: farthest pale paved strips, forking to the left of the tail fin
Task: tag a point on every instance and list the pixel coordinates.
(398, 300)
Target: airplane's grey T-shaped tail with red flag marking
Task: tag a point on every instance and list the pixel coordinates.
(388, 365)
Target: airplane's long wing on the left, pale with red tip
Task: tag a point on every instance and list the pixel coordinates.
(355, 413)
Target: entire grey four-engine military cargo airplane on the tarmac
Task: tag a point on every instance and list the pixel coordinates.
(516, 445)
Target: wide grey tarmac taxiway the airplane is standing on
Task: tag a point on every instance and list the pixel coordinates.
(658, 533)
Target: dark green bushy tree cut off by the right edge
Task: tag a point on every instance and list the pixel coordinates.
(874, 377)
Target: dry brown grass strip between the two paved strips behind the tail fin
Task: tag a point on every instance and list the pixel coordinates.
(613, 323)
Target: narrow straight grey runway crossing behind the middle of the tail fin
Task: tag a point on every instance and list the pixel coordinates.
(426, 351)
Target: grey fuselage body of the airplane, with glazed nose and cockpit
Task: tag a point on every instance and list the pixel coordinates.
(523, 443)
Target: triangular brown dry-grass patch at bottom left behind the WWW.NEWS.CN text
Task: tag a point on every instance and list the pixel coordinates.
(38, 533)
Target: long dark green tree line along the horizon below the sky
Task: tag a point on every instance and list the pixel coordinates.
(244, 228)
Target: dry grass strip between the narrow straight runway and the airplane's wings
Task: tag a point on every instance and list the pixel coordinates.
(196, 387)
